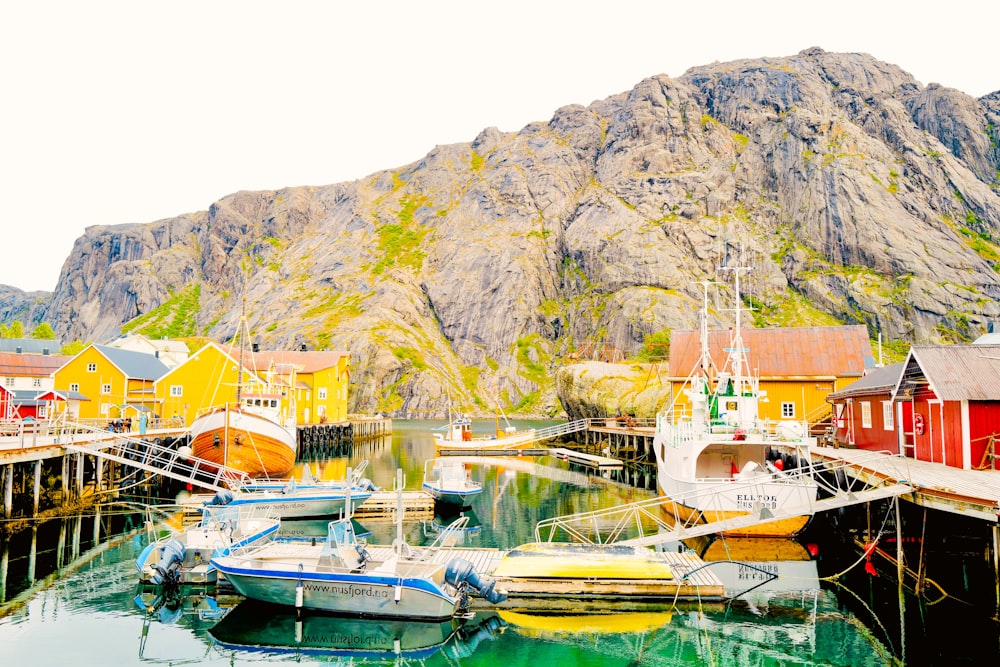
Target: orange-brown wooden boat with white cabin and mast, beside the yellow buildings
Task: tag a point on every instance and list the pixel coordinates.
(257, 434)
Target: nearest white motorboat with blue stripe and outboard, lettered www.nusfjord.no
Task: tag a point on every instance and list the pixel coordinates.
(340, 576)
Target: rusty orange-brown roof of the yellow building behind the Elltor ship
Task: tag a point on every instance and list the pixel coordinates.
(839, 351)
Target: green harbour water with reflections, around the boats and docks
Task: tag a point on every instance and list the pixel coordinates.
(70, 594)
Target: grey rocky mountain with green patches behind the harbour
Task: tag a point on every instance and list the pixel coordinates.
(855, 194)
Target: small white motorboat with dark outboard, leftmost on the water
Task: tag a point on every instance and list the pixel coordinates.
(184, 555)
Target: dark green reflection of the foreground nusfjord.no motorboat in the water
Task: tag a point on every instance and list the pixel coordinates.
(260, 627)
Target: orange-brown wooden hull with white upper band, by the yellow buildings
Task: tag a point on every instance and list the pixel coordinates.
(245, 441)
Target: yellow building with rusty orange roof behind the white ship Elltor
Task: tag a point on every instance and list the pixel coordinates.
(797, 367)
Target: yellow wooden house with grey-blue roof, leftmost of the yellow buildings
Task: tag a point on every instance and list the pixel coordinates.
(115, 383)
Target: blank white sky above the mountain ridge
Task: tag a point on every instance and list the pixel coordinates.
(135, 111)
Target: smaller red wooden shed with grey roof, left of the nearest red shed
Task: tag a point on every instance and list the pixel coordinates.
(865, 416)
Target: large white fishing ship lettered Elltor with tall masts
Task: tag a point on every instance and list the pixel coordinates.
(716, 457)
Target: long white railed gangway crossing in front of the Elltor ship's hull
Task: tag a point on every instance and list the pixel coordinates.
(661, 520)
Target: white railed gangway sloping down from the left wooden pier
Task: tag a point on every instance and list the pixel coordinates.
(157, 459)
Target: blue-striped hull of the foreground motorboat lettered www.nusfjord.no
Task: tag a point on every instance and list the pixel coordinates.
(367, 595)
